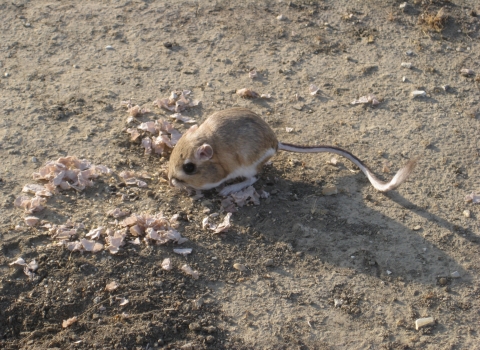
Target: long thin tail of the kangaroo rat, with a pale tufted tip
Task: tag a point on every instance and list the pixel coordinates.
(381, 186)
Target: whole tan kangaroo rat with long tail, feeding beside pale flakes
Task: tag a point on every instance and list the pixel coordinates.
(236, 143)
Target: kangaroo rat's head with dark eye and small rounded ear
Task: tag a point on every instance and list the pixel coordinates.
(193, 163)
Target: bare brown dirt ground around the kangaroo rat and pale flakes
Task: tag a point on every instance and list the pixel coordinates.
(347, 271)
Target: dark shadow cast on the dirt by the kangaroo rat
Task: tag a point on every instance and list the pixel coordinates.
(400, 239)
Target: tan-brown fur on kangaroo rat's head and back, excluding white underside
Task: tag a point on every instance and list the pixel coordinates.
(225, 131)
